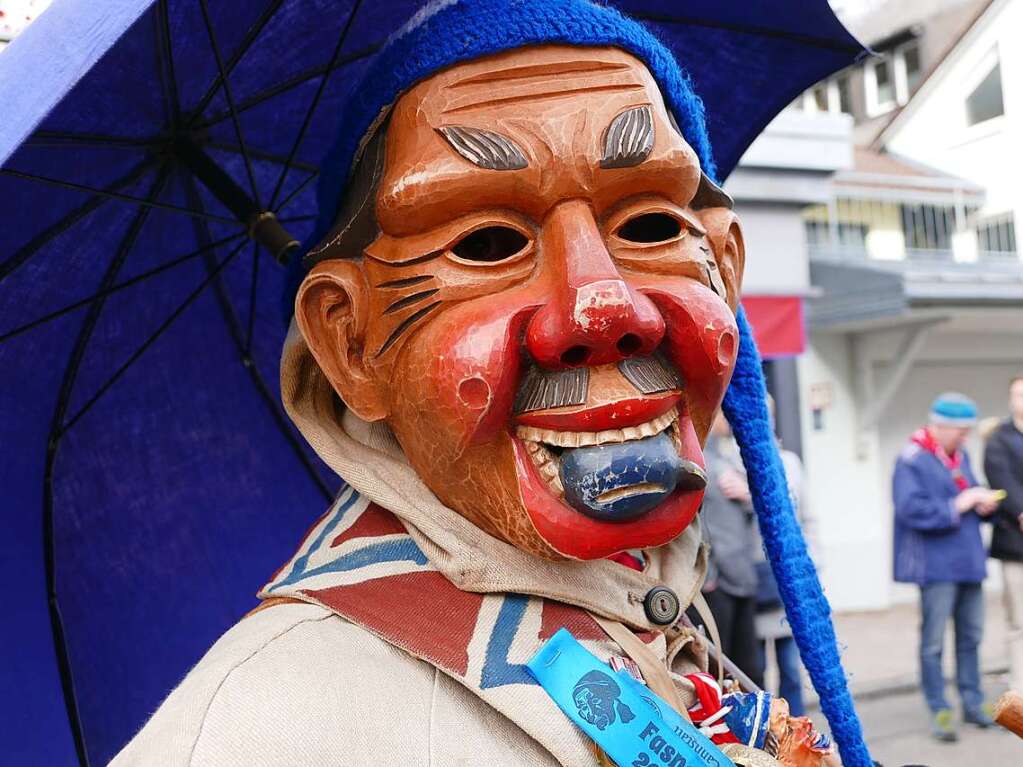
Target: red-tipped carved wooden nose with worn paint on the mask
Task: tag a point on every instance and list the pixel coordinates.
(594, 318)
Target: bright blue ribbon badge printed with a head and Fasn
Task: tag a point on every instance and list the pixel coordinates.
(632, 725)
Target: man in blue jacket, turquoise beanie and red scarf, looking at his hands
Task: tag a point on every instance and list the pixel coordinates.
(939, 510)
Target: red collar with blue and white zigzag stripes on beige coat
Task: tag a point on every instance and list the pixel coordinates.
(362, 563)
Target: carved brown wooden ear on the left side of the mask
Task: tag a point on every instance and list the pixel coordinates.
(332, 310)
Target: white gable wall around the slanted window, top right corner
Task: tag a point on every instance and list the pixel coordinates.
(933, 129)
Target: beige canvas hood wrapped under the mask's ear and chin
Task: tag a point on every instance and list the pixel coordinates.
(369, 459)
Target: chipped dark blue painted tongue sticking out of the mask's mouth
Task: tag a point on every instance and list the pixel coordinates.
(621, 482)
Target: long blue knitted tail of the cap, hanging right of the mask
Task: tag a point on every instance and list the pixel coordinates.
(806, 605)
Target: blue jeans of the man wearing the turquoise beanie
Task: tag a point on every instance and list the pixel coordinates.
(964, 604)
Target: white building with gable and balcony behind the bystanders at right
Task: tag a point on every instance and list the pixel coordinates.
(916, 280)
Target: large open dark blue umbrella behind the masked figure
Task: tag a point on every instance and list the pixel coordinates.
(159, 159)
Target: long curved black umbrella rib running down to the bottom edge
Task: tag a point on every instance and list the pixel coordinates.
(64, 398)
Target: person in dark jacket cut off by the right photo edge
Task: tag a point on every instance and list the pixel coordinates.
(1004, 468)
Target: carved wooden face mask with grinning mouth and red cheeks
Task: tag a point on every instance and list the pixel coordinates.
(533, 284)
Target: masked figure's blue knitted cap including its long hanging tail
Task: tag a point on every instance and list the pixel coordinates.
(448, 32)
